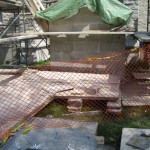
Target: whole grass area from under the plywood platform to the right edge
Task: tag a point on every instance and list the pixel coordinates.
(108, 126)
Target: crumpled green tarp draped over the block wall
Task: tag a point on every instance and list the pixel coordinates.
(110, 11)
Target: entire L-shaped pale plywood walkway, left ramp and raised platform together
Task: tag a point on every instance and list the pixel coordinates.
(23, 96)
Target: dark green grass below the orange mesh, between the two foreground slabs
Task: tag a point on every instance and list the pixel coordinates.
(112, 131)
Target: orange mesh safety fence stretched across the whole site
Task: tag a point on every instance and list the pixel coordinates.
(107, 88)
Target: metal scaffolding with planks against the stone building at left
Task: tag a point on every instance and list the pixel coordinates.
(20, 11)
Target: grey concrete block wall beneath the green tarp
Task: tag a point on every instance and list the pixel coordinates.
(72, 47)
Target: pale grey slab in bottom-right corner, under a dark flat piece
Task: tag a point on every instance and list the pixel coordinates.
(127, 134)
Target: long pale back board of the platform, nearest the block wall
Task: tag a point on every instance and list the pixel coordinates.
(70, 77)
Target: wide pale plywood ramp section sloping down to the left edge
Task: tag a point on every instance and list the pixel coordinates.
(21, 99)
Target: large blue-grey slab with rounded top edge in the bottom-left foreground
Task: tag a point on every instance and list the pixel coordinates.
(52, 139)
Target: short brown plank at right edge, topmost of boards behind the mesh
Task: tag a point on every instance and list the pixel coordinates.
(142, 76)
